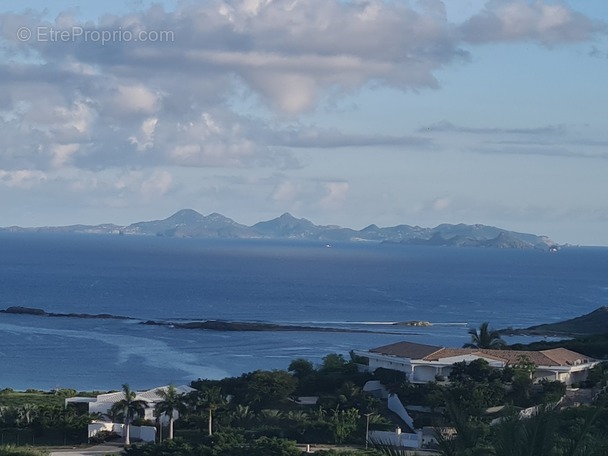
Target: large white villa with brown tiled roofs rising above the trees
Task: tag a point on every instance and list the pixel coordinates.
(424, 363)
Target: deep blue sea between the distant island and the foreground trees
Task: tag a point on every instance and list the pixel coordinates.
(362, 286)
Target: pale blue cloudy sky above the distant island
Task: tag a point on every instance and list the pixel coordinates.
(345, 112)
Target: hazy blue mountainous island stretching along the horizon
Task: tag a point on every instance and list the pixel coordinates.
(188, 223)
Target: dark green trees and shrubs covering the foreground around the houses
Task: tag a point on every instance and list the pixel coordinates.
(259, 413)
